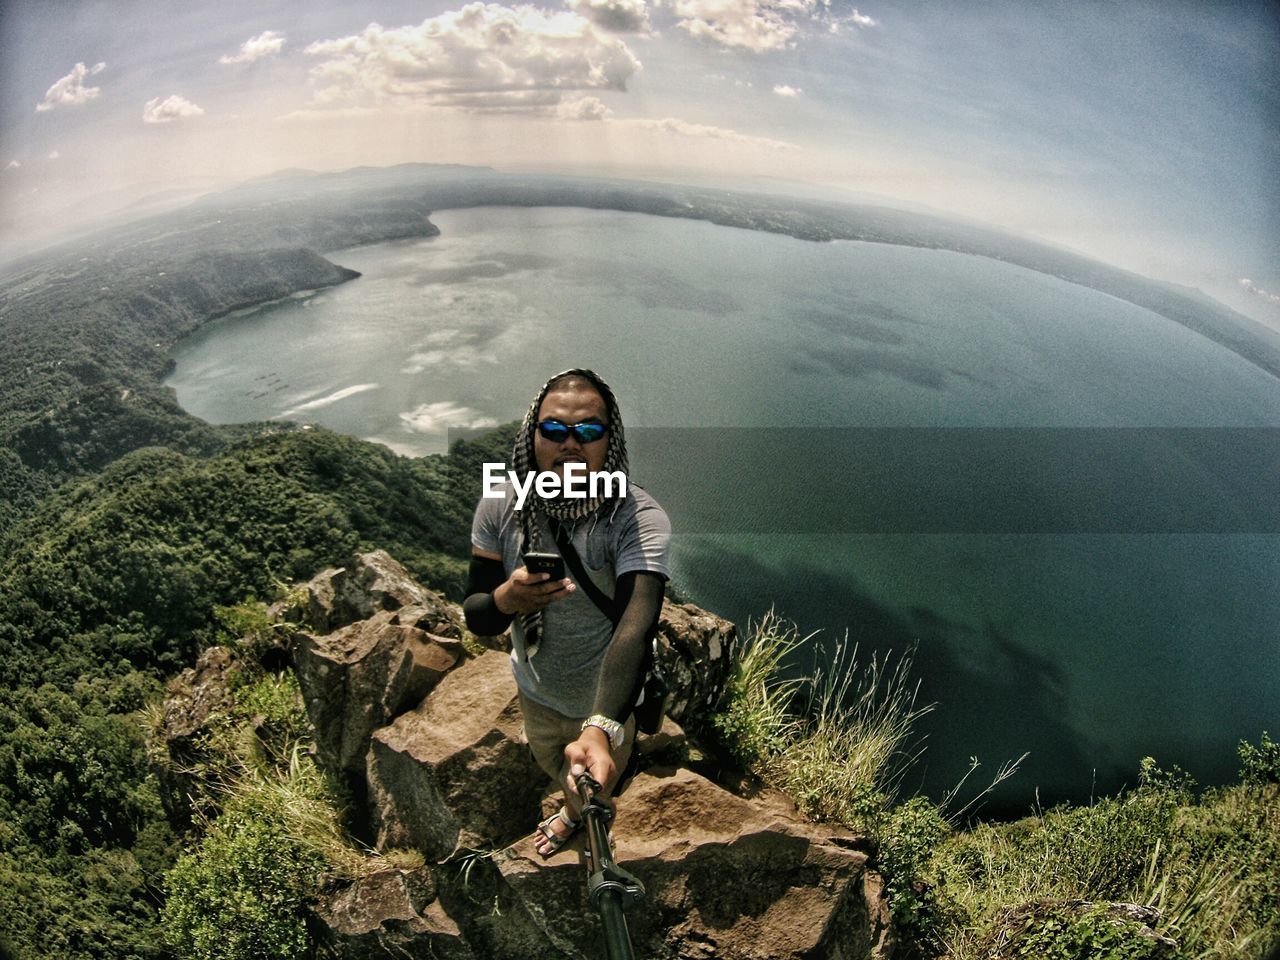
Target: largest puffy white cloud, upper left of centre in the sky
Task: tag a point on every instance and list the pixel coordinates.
(484, 57)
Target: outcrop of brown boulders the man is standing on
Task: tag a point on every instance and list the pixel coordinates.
(432, 742)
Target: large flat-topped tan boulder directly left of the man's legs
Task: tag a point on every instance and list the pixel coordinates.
(458, 771)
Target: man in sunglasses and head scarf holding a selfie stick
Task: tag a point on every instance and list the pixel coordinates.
(578, 651)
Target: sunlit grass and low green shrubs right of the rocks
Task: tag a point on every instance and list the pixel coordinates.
(1201, 866)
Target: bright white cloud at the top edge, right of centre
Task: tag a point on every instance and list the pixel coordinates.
(758, 25)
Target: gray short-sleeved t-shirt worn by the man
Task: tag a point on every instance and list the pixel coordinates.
(630, 537)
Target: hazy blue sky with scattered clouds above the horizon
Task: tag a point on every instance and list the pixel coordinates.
(1145, 134)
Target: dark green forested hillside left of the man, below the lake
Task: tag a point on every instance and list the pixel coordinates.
(113, 586)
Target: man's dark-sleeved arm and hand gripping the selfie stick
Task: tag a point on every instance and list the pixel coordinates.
(621, 675)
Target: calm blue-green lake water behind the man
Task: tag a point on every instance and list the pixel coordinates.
(1090, 650)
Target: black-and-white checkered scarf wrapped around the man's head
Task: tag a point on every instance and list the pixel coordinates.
(563, 509)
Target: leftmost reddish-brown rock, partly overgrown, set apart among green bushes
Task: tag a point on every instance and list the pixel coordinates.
(191, 700)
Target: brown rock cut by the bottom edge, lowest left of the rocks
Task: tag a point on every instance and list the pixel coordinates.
(392, 913)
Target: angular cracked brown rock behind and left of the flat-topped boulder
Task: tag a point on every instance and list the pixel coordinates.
(364, 675)
